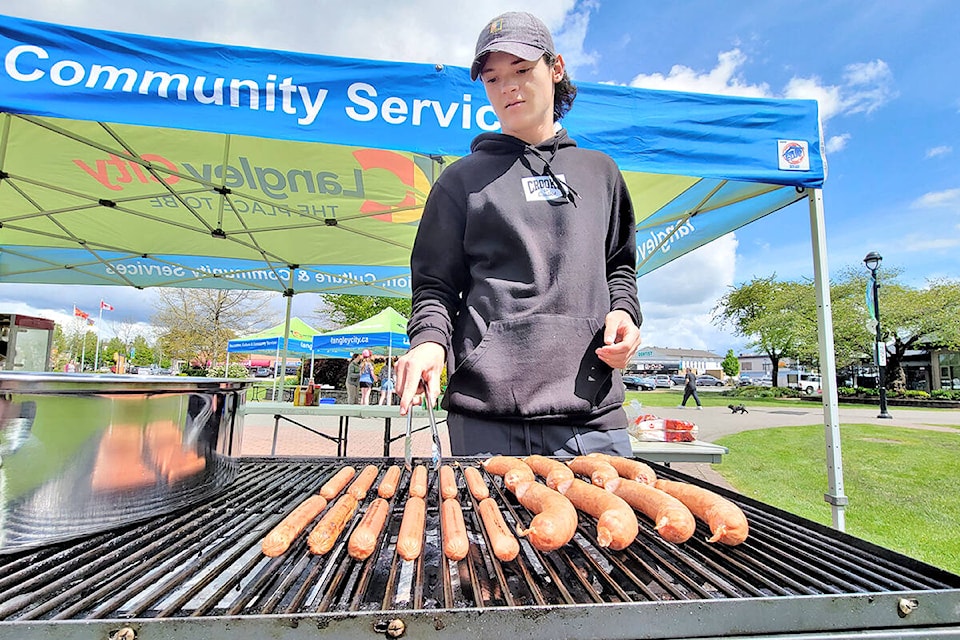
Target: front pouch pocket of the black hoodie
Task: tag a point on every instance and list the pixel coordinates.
(542, 365)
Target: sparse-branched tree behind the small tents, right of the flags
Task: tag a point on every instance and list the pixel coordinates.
(199, 322)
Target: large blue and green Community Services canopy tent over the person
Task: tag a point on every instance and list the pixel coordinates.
(142, 161)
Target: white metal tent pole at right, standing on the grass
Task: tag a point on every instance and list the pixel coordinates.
(828, 366)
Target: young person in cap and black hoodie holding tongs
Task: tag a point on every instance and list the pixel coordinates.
(523, 271)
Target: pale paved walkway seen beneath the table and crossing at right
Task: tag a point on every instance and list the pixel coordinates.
(366, 435)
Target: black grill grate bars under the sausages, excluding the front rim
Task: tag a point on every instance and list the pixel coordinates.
(206, 561)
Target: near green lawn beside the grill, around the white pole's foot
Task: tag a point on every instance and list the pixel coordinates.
(902, 483)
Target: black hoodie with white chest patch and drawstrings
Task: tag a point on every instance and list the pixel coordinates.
(521, 252)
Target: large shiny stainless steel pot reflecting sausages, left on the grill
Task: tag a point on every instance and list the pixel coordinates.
(80, 454)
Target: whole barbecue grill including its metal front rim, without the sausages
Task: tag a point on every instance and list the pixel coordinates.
(199, 573)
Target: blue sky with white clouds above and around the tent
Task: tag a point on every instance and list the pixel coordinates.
(880, 70)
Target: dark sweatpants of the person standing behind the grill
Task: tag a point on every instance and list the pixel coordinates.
(470, 436)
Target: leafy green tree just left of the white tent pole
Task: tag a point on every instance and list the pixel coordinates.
(765, 311)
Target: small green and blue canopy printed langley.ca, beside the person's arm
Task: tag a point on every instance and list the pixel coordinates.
(384, 332)
